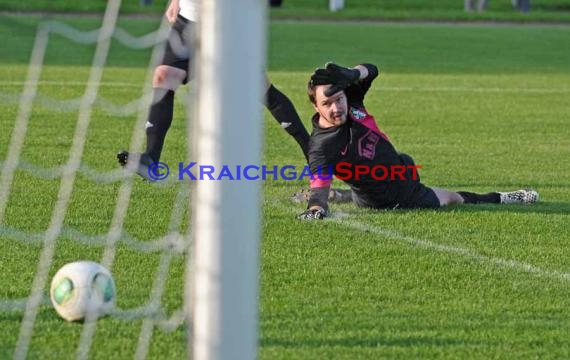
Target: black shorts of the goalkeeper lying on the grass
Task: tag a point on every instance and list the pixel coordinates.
(410, 194)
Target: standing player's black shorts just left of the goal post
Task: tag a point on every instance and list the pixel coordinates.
(179, 49)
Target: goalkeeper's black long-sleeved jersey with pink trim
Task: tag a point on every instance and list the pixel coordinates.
(357, 142)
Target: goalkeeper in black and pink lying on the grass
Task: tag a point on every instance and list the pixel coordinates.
(347, 142)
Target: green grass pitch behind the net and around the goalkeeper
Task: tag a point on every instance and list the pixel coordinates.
(479, 107)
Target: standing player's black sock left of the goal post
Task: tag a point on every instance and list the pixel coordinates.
(159, 120)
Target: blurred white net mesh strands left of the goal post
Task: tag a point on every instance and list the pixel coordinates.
(74, 172)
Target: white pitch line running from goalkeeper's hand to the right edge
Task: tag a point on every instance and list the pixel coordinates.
(442, 248)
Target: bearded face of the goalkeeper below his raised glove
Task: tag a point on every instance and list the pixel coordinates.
(332, 109)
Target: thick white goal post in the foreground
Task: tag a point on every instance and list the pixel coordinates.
(227, 130)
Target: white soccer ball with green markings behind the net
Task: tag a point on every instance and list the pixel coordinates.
(82, 287)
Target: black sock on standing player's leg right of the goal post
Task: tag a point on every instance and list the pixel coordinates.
(284, 112)
